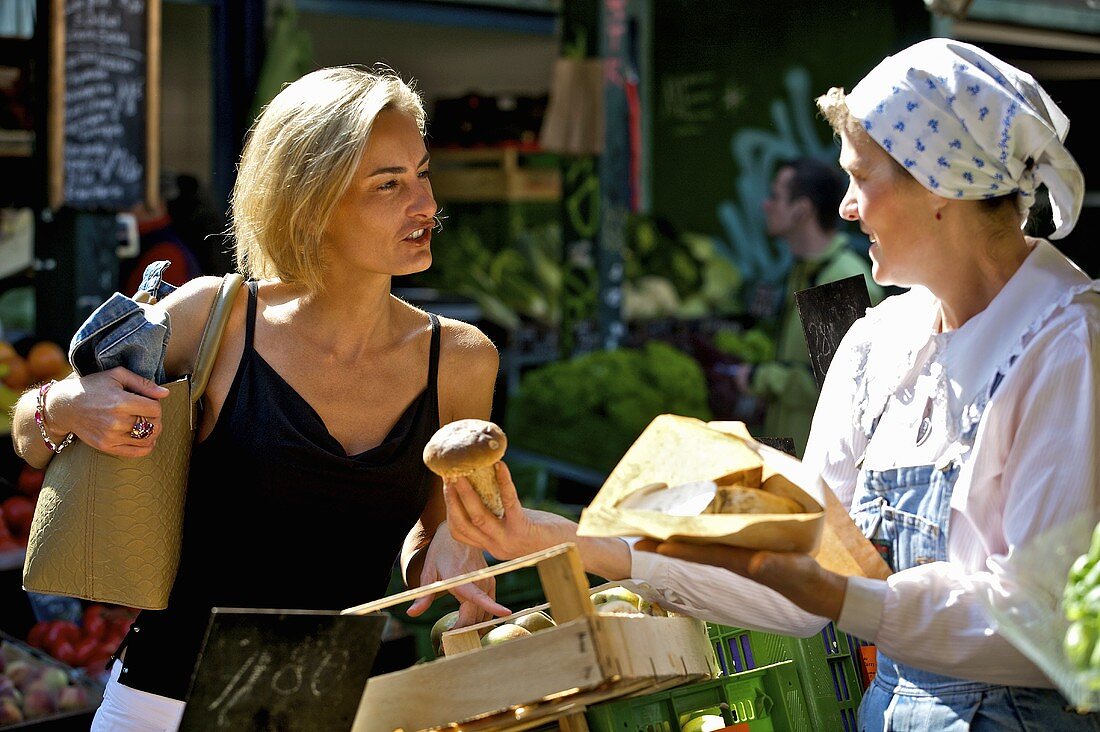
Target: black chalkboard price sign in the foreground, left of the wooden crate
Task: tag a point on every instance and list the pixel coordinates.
(278, 671)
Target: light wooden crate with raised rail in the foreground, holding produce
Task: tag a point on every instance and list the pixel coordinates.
(548, 676)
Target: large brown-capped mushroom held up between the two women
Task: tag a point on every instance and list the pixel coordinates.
(469, 449)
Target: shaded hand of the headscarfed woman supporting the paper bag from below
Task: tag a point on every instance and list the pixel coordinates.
(798, 577)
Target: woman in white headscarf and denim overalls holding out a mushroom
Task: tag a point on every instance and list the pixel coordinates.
(960, 421)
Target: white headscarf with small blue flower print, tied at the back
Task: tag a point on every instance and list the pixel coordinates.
(969, 126)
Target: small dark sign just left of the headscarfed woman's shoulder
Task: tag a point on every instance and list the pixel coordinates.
(827, 313)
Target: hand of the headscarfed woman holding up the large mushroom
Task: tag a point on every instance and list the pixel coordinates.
(521, 532)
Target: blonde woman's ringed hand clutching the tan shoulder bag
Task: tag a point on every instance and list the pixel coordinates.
(103, 408)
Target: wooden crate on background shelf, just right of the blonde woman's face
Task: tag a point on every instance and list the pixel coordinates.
(491, 176)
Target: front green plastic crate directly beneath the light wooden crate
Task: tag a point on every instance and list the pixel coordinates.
(766, 700)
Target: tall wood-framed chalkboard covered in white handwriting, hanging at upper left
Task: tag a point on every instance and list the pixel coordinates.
(104, 119)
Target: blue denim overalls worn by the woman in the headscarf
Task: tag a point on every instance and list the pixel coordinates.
(906, 512)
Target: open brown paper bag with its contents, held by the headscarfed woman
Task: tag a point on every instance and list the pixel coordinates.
(712, 484)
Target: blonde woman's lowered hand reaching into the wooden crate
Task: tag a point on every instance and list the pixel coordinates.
(447, 559)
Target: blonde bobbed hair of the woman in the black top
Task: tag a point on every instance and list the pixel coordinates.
(299, 161)
